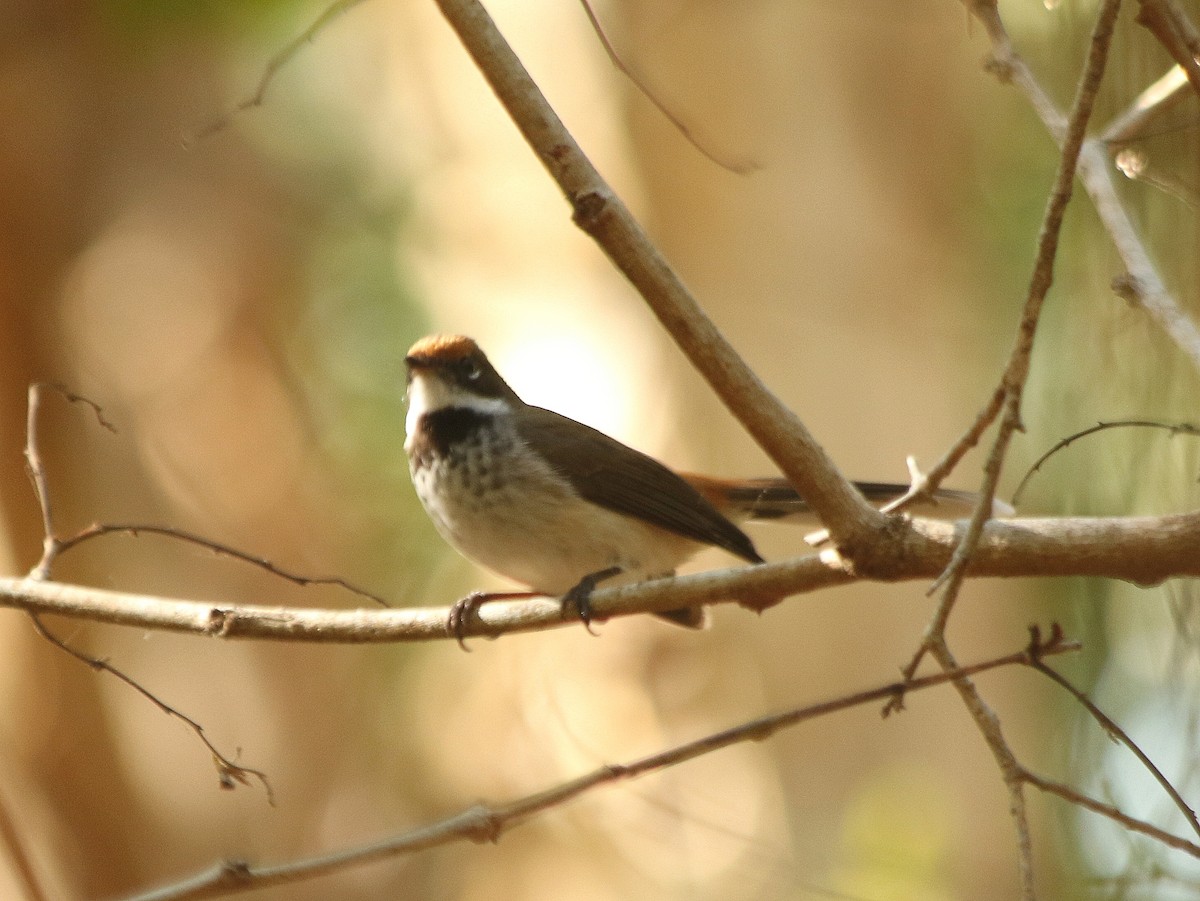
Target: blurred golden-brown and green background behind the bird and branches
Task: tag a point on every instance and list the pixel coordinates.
(241, 304)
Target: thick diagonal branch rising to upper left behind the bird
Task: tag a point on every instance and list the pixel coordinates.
(601, 213)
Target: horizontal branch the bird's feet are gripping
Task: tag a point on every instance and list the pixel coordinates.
(1144, 550)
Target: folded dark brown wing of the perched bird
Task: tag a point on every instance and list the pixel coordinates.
(622, 479)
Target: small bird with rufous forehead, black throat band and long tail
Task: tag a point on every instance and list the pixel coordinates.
(560, 507)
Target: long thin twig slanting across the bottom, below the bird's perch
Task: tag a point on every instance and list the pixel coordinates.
(489, 824)
